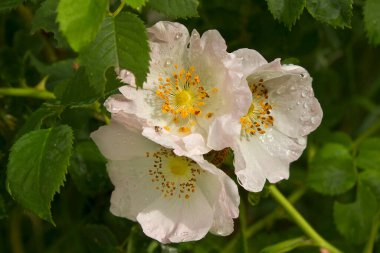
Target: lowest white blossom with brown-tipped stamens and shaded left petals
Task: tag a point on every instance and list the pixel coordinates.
(174, 198)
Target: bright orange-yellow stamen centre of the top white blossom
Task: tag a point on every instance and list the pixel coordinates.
(184, 98)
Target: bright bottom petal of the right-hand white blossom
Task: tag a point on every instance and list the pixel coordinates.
(266, 157)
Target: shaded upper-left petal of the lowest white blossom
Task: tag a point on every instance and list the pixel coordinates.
(118, 142)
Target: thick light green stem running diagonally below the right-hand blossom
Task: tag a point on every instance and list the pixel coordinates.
(300, 221)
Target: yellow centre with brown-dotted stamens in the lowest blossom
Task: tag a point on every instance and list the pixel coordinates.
(173, 176)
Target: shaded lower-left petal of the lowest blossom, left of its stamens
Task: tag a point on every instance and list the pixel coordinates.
(133, 187)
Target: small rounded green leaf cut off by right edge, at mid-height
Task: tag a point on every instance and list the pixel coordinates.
(369, 154)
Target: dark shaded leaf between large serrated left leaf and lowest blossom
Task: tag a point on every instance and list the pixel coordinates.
(88, 169)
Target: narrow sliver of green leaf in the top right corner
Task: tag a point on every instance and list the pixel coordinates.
(372, 20)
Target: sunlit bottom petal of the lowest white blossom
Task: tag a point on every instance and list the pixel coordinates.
(177, 220)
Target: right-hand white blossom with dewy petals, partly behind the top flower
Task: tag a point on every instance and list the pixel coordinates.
(273, 132)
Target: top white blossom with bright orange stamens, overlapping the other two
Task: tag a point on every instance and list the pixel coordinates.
(192, 87)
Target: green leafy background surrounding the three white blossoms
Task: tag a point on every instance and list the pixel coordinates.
(335, 184)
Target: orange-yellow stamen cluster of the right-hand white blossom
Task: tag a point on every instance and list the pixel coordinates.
(258, 117)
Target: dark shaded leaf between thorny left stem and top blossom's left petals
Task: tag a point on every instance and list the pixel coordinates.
(79, 91)
